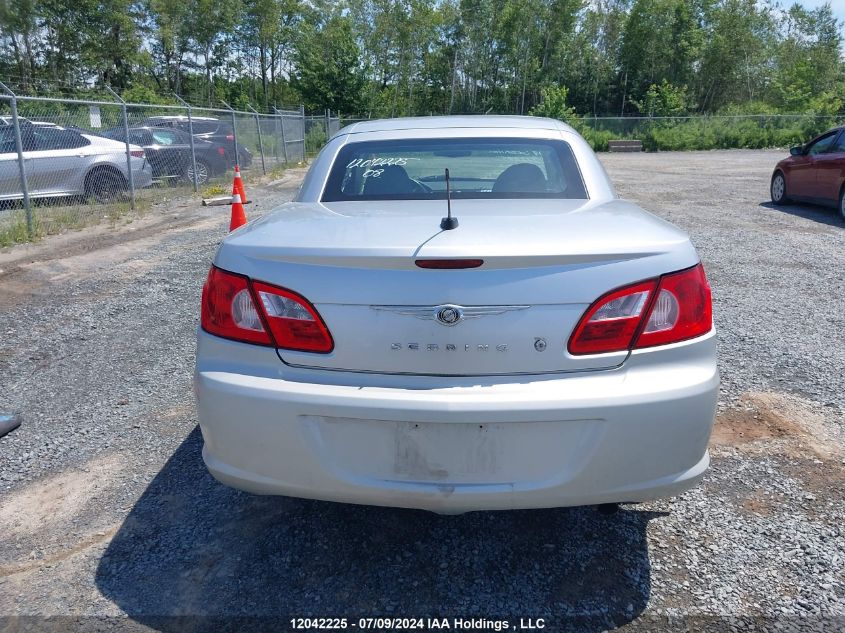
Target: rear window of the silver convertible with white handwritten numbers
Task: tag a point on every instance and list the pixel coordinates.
(414, 169)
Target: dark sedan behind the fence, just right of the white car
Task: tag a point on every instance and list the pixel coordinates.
(169, 152)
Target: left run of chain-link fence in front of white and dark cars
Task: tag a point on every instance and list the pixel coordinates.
(67, 163)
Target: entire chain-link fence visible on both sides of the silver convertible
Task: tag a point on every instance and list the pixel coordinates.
(68, 163)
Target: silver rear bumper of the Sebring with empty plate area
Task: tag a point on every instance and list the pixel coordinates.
(636, 433)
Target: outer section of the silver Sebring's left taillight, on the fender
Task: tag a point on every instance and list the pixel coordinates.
(228, 309)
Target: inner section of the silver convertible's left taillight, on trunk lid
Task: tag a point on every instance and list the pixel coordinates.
(294, 323)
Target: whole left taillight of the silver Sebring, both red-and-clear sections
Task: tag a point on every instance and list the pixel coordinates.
(237, 308)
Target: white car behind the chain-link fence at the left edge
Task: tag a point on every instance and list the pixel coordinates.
(62, 162)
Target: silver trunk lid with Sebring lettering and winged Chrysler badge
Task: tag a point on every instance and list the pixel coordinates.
(357, 263)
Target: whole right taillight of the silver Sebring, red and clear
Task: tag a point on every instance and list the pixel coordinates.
(645, 314)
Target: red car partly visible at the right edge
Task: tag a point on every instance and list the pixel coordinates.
(814, 172)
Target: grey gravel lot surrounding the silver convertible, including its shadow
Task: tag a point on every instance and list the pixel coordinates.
(108, 517)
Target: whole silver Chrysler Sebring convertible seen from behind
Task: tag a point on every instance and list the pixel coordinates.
(455, 314)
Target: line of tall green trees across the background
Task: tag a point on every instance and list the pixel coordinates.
(415, 57)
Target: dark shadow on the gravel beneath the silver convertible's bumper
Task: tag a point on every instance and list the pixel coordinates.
(192, 547)
